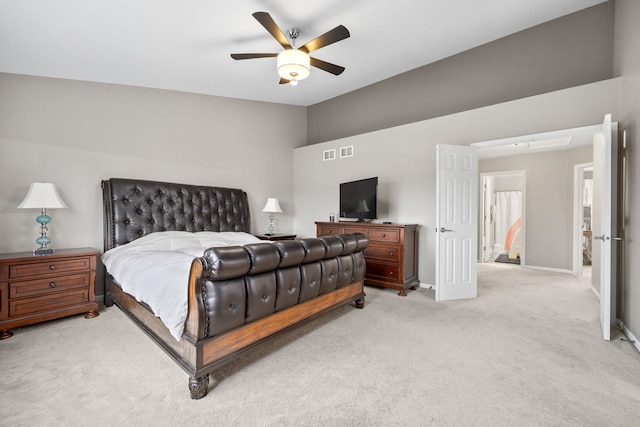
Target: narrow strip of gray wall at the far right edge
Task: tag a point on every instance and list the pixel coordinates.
(627, 65)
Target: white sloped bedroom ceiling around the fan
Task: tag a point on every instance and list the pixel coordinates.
(185, 45)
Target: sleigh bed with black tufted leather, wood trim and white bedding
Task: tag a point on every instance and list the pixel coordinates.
(238, 291)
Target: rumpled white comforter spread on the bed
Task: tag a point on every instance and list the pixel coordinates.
(155, 269)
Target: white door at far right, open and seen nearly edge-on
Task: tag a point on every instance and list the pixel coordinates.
(605, 191)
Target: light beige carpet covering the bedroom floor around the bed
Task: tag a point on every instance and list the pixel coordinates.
(528, 351)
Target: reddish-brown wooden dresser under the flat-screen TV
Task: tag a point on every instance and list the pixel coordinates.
(391, 255)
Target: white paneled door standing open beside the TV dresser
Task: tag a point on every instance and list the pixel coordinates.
(456, 222)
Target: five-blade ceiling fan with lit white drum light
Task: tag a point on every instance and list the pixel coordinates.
(294, 63)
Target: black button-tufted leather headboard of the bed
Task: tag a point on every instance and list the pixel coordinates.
(134, 208)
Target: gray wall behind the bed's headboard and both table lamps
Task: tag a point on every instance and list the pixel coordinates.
(75, 134)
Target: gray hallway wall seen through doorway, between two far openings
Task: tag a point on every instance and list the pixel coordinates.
(548, 225)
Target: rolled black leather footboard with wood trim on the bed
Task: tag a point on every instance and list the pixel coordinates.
(242, 296)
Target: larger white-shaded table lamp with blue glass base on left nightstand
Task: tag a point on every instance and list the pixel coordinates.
(42, 195)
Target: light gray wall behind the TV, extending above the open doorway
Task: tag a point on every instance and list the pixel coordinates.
(403, 157)
